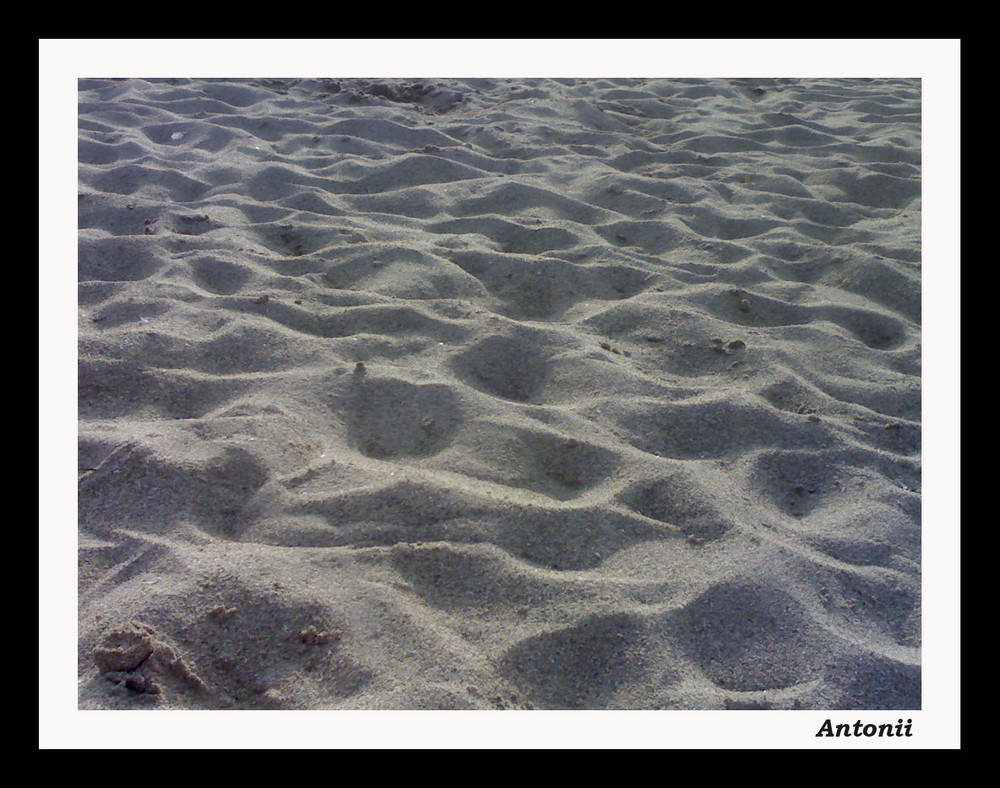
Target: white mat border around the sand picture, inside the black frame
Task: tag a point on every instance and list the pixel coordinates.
(62, 62)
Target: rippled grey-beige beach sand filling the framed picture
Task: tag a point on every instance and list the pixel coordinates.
(499, 394)
